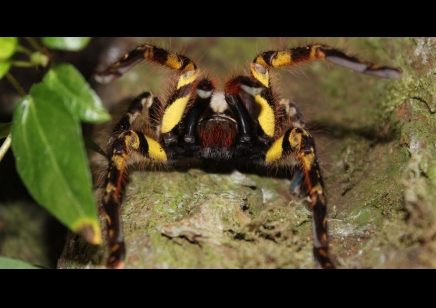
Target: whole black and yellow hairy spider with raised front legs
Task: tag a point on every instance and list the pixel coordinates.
(246, 121)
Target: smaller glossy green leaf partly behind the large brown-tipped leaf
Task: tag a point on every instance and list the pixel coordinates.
(83, 102)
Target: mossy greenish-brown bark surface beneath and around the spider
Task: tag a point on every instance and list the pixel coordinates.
(376, 141)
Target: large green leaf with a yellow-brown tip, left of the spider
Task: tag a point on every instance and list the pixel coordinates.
(51, 160)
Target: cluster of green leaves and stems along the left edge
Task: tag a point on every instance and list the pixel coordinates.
(46, 133)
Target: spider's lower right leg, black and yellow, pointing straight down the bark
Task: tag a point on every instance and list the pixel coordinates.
(297, 144)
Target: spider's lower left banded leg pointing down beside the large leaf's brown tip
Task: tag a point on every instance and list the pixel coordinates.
(122, 142)
